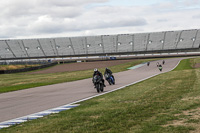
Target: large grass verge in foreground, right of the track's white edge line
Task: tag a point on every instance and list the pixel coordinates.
(155, 105)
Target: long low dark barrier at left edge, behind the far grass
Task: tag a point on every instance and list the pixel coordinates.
(27, 69)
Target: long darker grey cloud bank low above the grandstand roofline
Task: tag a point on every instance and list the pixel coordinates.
(74, 25)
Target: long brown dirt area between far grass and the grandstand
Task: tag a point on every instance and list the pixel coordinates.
(81, 66)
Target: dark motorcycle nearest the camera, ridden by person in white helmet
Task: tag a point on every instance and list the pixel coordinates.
(98, 83)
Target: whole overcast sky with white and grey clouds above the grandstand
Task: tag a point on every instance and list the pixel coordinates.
(66, 18)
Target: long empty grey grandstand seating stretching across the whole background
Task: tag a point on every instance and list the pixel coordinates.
(155, 42)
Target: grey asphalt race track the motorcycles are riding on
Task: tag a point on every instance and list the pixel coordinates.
(25, 102)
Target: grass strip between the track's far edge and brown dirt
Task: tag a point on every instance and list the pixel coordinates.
(19, 81)
